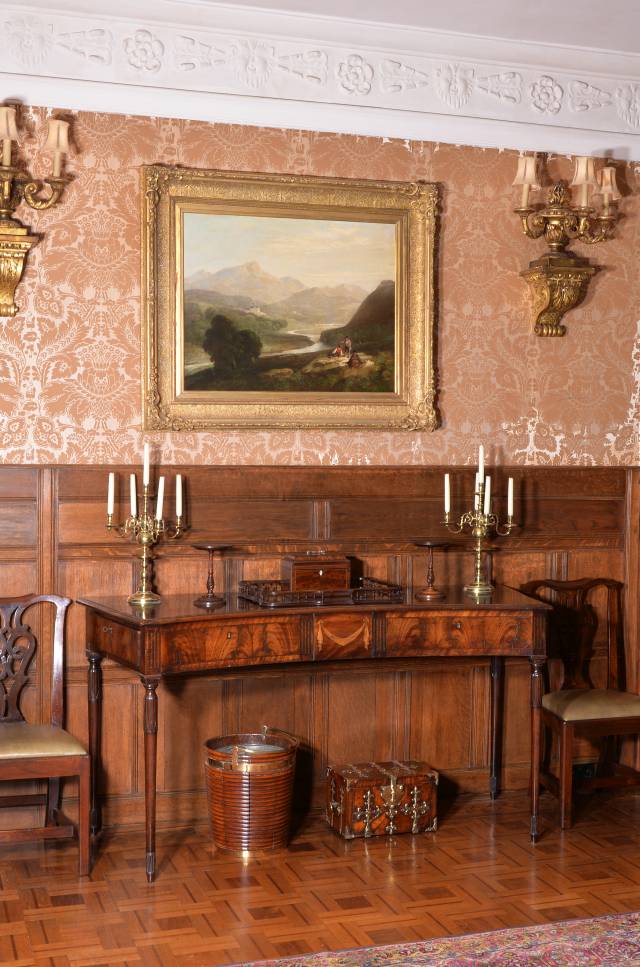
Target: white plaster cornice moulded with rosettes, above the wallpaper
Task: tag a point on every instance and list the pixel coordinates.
(232, 63)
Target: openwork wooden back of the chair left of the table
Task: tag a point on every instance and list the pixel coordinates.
(17, 647)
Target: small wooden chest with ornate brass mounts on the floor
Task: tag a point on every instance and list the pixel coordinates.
(382, 798)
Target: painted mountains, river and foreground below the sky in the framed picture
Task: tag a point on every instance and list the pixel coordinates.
(247, 329)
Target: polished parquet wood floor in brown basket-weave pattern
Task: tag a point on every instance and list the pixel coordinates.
(478, 872)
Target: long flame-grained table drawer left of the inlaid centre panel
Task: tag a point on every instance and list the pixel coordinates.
(227, 644)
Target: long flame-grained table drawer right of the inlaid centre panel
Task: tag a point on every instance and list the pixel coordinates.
(417, 634)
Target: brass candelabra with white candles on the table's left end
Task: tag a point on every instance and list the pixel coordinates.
(143, 528)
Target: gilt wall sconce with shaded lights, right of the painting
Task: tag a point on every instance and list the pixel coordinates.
(559, 279)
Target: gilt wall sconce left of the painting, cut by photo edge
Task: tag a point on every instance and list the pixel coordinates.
(16, 186)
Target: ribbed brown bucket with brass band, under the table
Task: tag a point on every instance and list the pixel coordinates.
(249, 784)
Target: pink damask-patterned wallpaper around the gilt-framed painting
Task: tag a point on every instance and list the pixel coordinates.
(70, 361)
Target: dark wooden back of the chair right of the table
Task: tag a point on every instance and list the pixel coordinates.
(573, 626)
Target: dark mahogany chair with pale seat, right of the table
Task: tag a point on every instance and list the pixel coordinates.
(577, 708)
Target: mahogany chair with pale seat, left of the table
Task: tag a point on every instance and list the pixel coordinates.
(32, 752)
